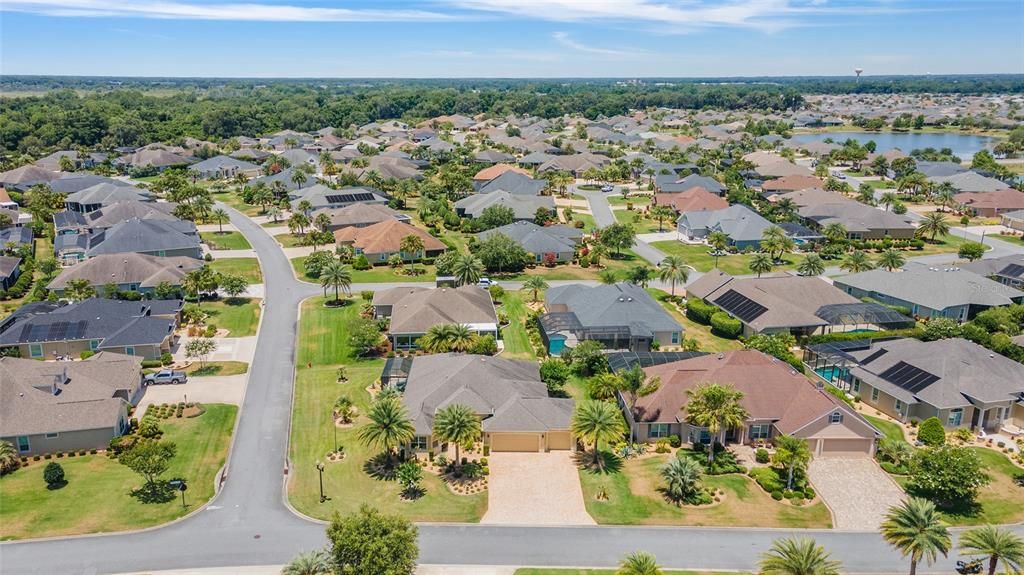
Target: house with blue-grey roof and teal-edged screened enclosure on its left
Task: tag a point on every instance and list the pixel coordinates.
(620, 317)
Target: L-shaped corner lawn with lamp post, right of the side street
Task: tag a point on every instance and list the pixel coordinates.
(323, 344)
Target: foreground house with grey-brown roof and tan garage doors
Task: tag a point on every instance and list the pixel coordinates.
(516, 412)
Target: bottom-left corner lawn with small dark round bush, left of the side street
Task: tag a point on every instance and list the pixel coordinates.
(98, 498)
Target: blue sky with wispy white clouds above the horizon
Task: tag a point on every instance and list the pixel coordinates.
(509, 38)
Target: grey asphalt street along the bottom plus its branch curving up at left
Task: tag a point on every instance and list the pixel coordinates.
(249, 523)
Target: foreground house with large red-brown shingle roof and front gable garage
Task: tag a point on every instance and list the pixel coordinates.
(779, 400)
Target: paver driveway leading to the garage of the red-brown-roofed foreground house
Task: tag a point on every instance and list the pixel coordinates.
(857, 491)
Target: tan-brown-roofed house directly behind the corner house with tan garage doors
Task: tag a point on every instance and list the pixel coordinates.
(418, 312)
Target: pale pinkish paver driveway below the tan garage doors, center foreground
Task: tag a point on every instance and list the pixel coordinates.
(535, 490)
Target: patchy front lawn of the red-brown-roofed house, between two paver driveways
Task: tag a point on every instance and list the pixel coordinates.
(633, 499)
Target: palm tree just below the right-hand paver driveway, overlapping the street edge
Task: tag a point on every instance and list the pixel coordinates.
(915, 529)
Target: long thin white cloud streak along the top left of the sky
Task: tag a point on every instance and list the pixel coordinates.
(173, 10)
